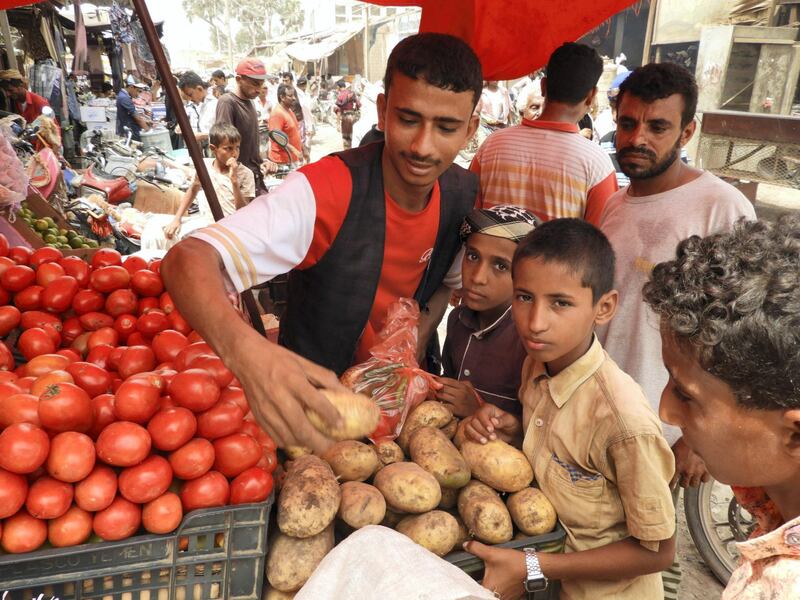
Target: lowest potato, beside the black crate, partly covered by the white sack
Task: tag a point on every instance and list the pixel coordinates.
(291, 561)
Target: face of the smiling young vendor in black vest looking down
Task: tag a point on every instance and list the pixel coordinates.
(425, 127)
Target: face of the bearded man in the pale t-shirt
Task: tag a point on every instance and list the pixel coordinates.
(650, 135)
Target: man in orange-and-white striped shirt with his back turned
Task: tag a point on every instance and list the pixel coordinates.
(545, 165)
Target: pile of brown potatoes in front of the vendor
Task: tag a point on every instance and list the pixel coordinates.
(436, 492)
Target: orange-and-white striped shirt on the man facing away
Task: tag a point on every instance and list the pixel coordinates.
(546, 167)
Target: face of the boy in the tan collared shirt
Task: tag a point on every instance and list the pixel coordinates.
(554, 313)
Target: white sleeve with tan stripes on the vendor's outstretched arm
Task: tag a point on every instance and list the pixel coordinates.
(268, 237)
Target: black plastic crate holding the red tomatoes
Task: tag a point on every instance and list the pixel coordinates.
(215, 553)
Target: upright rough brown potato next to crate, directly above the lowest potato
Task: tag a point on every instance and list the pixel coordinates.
(309, 499)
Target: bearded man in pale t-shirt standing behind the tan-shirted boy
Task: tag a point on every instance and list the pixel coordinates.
(666, 202)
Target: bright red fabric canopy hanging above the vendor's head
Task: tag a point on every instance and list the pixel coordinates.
(512, 37)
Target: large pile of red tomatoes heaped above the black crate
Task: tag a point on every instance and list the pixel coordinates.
(121, 419)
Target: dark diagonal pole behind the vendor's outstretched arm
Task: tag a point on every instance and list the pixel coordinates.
(168, 82)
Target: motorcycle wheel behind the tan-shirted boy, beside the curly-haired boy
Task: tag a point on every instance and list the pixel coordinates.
(716, 522)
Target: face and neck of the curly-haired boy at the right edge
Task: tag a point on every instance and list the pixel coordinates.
(749, 448)
